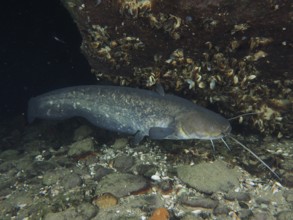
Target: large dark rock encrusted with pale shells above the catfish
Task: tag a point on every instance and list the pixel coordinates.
(197, 49)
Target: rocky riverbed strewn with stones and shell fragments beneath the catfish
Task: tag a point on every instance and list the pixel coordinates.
(69, 169)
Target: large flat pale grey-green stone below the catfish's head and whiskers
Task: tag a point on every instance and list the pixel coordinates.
(209, 177)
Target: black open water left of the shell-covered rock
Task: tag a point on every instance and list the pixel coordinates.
(39, 43)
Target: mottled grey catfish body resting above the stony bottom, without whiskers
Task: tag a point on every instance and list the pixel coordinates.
(131, 111)
